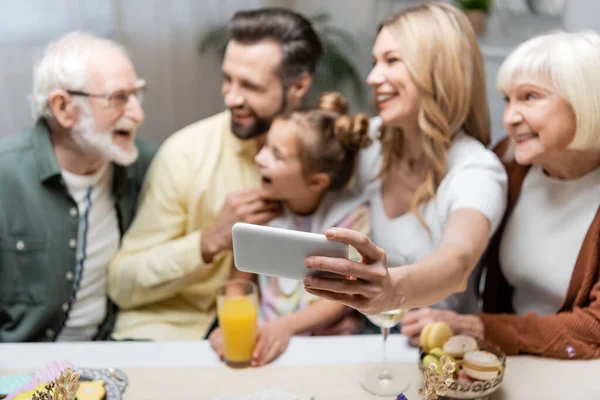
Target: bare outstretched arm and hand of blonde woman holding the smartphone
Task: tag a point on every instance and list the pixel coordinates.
(430, 280)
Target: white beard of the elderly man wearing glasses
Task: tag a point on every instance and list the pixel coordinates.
(101, 143)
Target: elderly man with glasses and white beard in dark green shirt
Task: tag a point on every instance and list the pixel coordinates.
(70, 186)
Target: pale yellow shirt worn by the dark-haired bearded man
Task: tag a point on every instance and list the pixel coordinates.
(158, 278)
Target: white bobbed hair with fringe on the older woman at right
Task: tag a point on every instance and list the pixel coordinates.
(568, 63)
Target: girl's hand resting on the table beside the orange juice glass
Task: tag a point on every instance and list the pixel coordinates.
(273, 339)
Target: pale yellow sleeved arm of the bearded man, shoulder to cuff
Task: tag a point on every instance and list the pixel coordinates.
(157, 257)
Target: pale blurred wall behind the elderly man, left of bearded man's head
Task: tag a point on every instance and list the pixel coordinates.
(161, 36)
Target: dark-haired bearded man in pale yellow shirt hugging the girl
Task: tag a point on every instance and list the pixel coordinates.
(203, 180)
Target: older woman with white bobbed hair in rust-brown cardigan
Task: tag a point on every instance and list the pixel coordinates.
(542, 292)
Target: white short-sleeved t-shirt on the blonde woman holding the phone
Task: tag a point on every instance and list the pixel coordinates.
(476, 179)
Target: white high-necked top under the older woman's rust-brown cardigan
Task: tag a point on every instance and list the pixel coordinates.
(543, 237)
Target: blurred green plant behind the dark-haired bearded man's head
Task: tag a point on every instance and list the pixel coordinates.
(335, 71)
